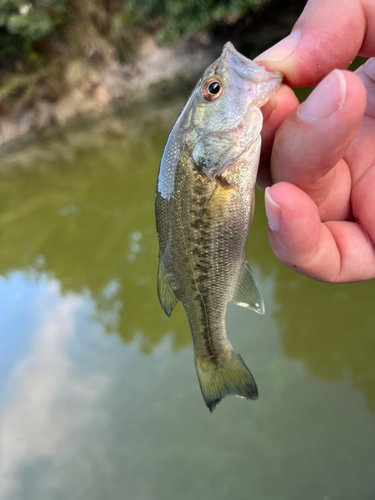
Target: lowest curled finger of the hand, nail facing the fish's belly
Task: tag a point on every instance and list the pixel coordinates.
(336, 252)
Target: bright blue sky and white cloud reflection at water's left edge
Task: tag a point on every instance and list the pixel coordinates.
(44, 403)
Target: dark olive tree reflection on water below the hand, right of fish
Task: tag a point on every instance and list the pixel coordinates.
(329, 327)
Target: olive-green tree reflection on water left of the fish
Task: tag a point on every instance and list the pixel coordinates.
(87, 219)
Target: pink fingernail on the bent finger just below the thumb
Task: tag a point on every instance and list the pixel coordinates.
(327, 98)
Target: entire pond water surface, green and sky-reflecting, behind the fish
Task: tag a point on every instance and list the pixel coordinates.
(98, 393)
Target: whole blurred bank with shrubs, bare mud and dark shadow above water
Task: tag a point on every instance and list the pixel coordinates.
(63, 59)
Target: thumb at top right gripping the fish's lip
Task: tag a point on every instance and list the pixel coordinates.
(328, 35)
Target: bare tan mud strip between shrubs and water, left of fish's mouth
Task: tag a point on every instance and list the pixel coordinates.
(99, 87)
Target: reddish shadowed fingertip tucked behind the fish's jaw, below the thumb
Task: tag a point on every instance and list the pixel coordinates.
(274, 113)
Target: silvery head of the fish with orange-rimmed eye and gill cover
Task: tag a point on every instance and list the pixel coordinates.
(224, 116)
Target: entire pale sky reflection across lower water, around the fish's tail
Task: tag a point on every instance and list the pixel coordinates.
(84, 415)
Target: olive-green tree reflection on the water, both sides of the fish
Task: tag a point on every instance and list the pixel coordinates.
(81, 210)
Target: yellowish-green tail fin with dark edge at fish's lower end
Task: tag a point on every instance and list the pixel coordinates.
(225, 375)
